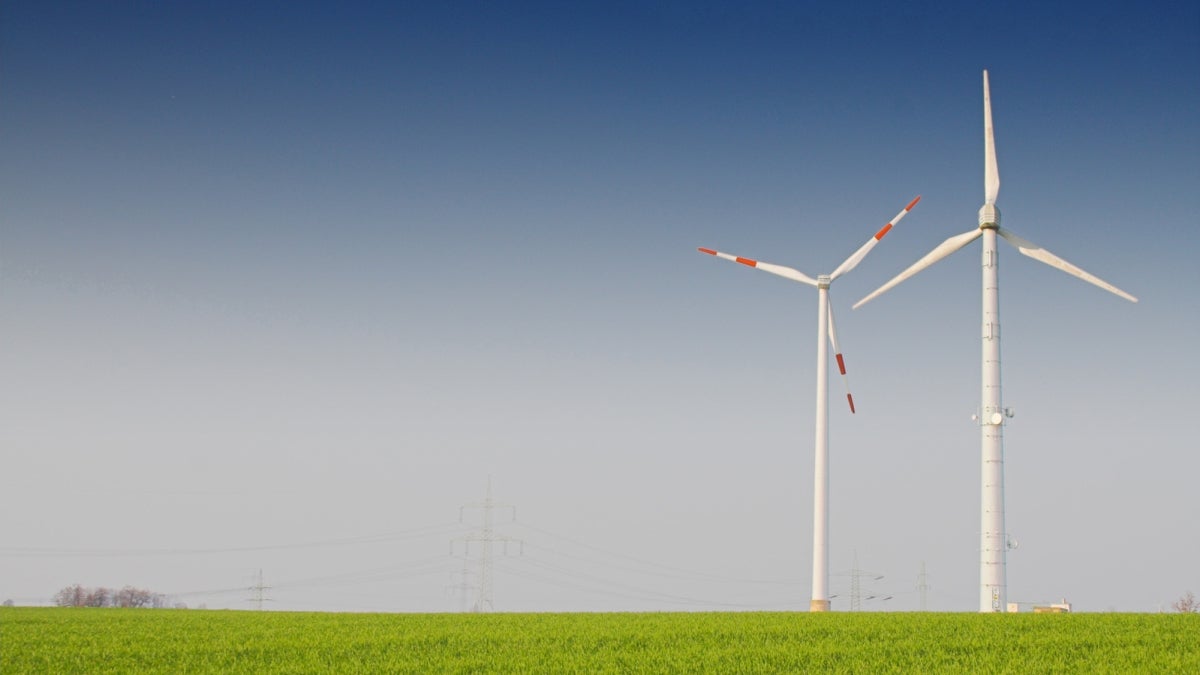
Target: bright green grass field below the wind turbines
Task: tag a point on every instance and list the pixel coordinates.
(141, 641)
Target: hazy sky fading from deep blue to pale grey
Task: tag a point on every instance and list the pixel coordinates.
(286, 286)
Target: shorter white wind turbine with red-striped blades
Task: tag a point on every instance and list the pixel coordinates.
(820, 601)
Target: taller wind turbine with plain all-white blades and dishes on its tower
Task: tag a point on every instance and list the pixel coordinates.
(993, 586)
